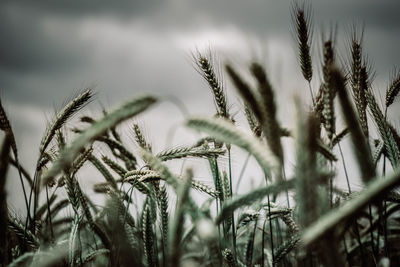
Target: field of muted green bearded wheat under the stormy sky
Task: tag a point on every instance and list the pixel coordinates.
(151, 215)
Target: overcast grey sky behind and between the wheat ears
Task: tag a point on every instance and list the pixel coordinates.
(49, 50)
